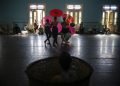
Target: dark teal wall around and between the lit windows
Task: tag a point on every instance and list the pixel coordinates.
(18, 10)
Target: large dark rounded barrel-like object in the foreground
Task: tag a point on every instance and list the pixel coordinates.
(48, 72)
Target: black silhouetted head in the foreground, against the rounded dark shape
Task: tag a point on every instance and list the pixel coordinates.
(65, 60)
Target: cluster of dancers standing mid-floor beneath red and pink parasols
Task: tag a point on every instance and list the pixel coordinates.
(51, 30)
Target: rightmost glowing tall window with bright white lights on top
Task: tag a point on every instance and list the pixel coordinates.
(109, 16)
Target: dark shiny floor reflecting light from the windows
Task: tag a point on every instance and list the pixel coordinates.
(102, 52)
